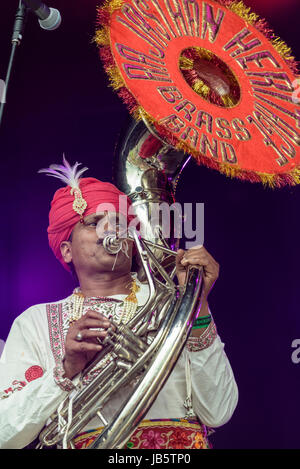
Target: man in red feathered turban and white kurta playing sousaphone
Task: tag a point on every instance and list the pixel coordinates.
(51, 344)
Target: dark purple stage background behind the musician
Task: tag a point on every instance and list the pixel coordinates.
(59, 102)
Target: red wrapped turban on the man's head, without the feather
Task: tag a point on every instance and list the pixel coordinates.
(63, 218)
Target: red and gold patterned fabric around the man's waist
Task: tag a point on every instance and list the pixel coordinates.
(158, 434)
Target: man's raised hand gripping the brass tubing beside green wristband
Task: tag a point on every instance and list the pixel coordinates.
(198, 256)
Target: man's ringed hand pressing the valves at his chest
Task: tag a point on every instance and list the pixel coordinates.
(79, 354)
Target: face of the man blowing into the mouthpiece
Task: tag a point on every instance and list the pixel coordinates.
(85, 249)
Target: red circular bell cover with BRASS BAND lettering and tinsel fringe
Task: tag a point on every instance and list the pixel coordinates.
(257, 138)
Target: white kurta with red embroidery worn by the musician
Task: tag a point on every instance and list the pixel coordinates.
(29, 394)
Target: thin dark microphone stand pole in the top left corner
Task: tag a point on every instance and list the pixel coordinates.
(16, 40)
